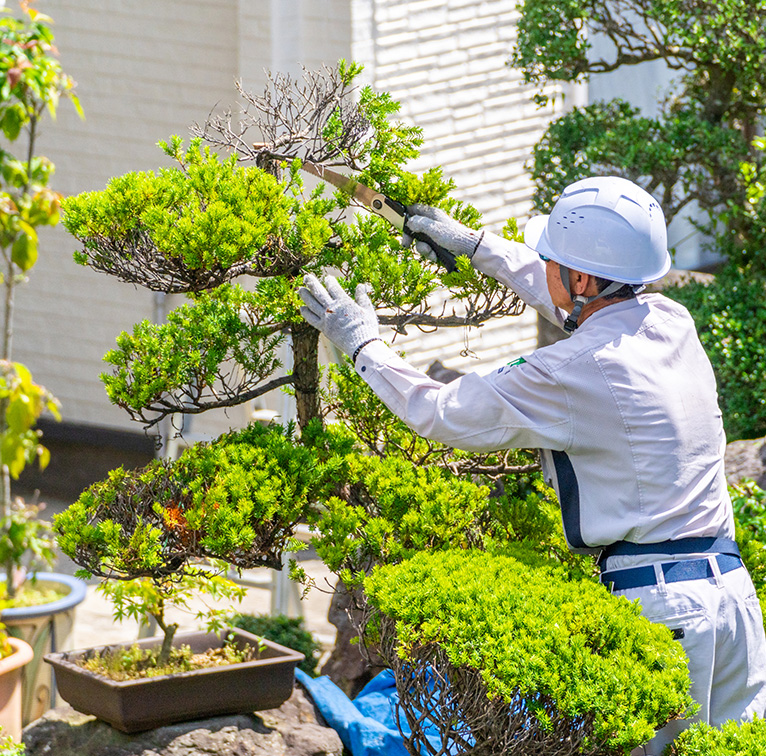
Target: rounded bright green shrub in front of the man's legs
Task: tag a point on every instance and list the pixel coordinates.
(504, 653)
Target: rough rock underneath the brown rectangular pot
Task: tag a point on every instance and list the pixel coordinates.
(294, 729)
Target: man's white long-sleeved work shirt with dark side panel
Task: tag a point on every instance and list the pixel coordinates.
(625, 412)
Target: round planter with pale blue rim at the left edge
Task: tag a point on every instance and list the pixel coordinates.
(47, 628)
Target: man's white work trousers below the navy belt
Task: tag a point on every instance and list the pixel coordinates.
(723, 637)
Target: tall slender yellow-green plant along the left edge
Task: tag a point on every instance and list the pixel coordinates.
(32, 85)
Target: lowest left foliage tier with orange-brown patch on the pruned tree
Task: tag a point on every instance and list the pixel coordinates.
(238, 499)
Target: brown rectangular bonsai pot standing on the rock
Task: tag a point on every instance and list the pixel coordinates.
(134, 705)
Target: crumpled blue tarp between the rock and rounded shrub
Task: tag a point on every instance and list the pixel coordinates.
(366, 725)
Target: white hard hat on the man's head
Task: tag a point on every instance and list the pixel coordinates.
(606, 226)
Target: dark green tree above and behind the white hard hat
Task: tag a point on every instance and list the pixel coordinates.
(692, 151)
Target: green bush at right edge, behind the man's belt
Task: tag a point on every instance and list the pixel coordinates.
(749, 504)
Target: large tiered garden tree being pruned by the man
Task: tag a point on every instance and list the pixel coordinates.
(236, 234)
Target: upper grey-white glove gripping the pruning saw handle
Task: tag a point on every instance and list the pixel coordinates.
(438, 237)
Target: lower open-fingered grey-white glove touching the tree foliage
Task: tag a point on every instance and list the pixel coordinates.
(349, 324)
